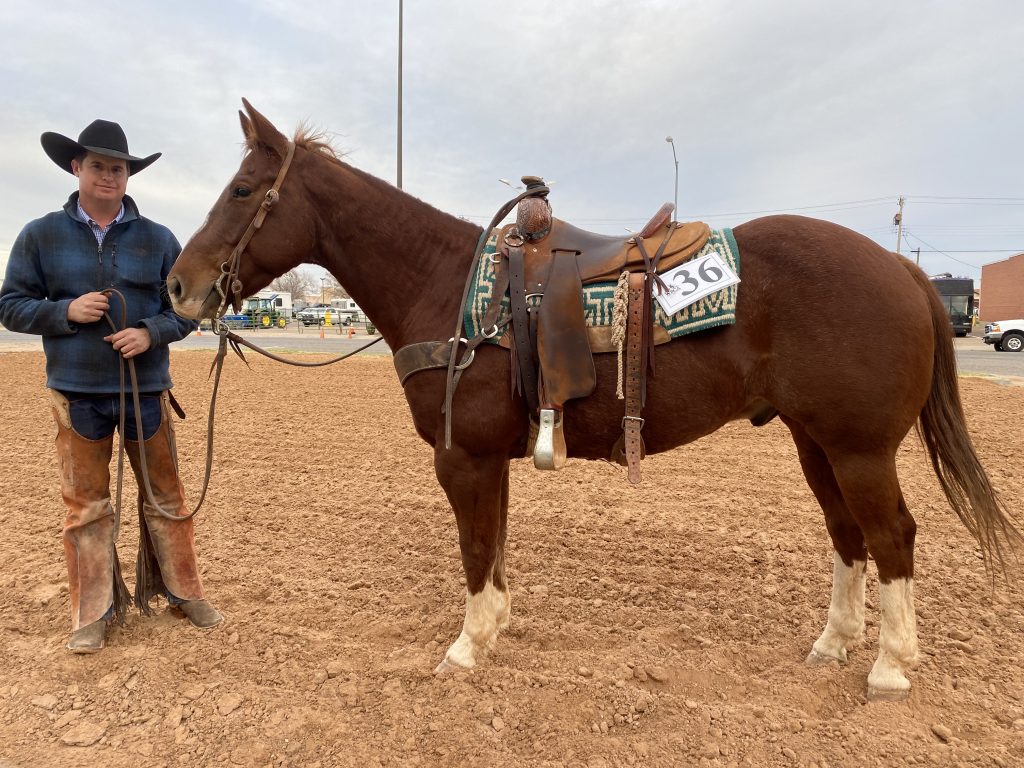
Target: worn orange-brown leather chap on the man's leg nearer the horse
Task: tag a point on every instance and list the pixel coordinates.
(174, 543)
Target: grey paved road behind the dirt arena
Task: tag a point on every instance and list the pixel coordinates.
(973, 356)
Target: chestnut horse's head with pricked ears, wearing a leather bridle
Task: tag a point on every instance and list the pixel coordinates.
(285, 240)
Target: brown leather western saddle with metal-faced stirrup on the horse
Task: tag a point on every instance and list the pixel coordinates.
(545, 264)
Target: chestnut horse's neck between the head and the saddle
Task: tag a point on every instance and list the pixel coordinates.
(403, 262)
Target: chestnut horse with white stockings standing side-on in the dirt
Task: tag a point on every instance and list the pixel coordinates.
(806, 345)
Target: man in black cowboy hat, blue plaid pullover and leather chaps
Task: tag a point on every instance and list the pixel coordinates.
(58, 273)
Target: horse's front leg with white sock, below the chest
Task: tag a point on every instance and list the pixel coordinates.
(479, 490)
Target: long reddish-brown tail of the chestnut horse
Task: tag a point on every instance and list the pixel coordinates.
(944, 432)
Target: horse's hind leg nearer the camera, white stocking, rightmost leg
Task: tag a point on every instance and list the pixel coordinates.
(873, 495)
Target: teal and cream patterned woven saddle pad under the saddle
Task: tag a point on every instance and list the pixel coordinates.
(718, 309)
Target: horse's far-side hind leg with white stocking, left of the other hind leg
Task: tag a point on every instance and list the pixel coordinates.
(846, 612)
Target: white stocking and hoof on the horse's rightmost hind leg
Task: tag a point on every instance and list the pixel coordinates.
(898, 642)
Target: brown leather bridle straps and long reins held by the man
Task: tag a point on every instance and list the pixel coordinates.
(227, 285)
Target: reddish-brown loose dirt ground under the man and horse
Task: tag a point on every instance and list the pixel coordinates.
(660, 626)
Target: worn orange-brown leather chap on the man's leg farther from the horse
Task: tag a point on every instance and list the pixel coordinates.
(89, 530)
